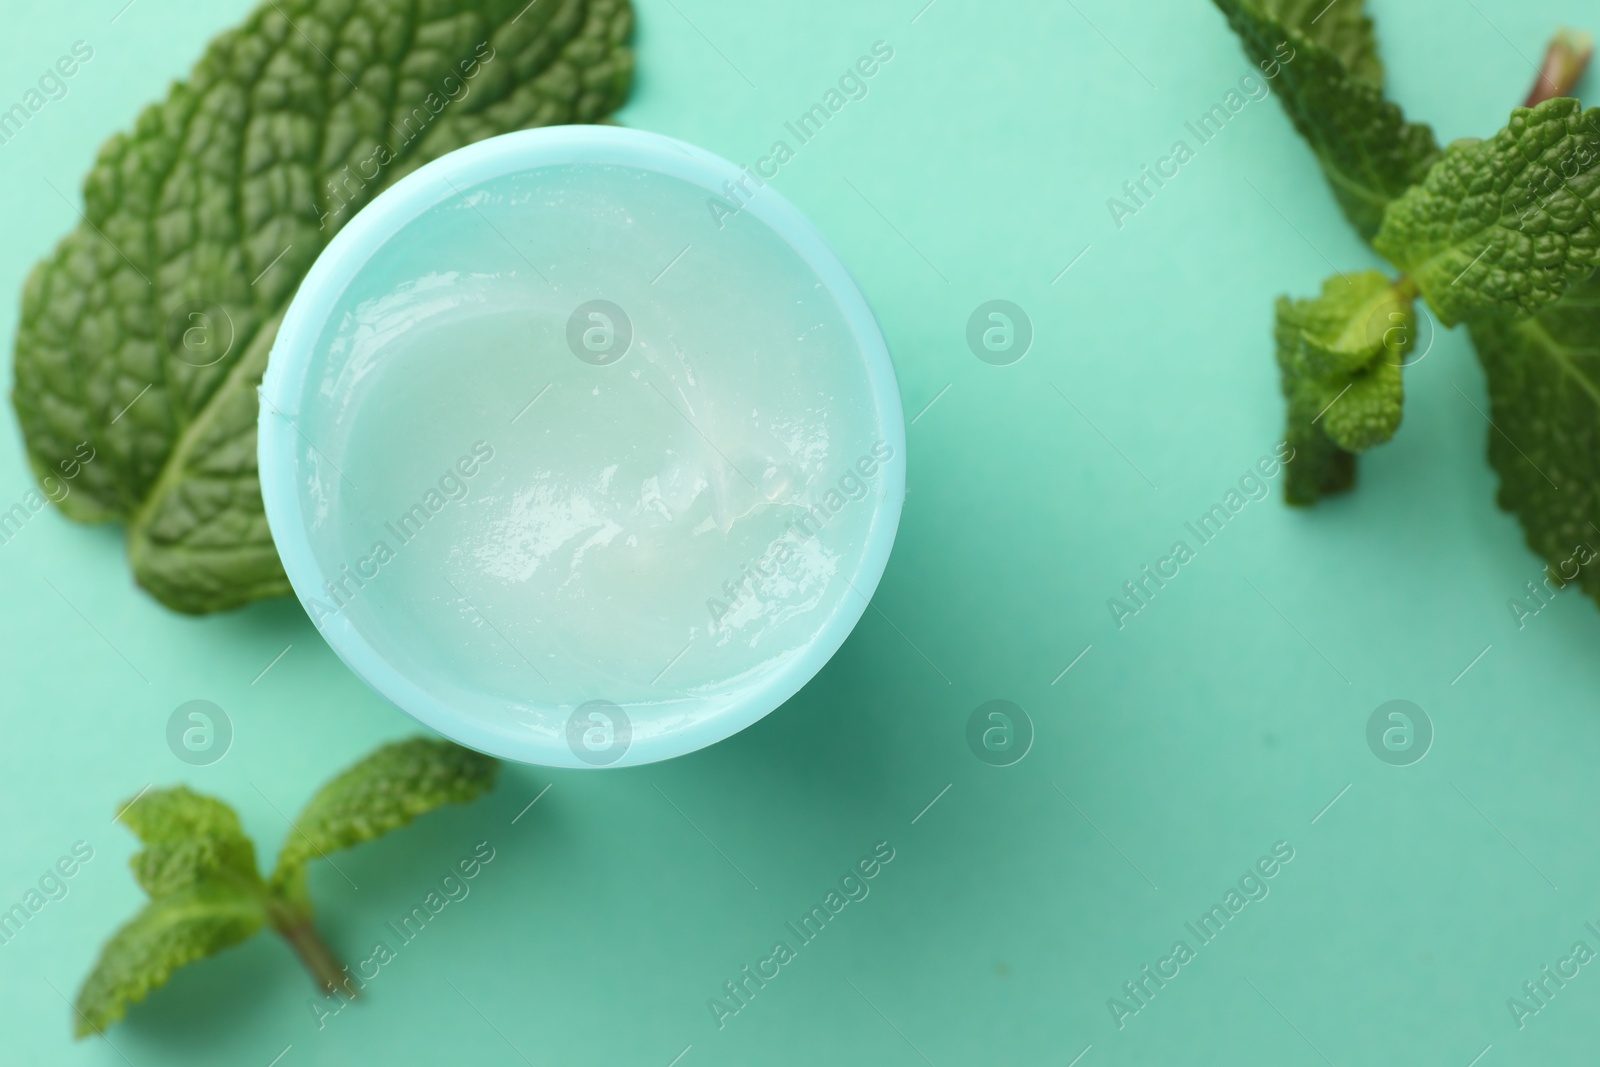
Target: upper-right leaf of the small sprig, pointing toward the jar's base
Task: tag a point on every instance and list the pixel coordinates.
(383, 793)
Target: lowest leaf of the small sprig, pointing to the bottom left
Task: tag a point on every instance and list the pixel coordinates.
(170, 932)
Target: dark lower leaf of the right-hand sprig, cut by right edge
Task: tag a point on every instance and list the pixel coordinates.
(1545, 442)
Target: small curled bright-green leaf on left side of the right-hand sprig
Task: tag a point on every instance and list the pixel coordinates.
(1340, 359)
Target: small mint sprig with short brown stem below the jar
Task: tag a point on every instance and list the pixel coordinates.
(207, 895)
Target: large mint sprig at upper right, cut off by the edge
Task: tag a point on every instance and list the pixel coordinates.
(1502, 234)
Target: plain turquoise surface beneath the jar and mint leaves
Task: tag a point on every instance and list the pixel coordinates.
(1169, 759)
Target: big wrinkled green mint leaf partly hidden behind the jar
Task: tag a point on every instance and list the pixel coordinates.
(146, 330)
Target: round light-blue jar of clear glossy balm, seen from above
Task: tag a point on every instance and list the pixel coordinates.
(582, 447)
